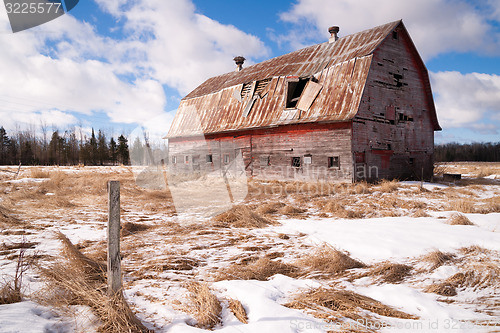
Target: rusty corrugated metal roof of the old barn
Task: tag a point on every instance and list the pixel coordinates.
(340, 67)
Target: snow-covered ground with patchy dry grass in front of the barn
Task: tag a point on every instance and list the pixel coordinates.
(74, 202)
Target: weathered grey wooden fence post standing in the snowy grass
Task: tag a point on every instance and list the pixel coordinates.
(114, 259)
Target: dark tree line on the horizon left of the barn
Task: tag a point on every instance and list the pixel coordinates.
(63, 148)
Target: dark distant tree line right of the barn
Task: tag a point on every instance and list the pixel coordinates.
(473, 152)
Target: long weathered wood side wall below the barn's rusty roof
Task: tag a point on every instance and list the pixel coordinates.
(268, 153)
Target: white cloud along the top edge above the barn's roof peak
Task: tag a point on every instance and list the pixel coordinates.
(436, 26)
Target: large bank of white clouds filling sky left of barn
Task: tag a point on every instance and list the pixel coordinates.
(65, 67)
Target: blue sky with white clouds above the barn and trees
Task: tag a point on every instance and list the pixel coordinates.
(120, 64)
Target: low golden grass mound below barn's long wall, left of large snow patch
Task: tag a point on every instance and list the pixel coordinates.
(241, 217)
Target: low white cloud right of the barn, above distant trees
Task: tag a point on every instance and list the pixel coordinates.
(467, 100)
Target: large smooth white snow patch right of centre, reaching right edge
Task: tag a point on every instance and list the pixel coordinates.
(396, 238)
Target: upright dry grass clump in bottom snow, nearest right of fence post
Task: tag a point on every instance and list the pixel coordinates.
(203, 305)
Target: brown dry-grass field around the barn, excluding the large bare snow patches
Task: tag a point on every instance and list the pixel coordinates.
(184, 256)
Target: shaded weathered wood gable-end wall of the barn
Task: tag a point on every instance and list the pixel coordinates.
(393, 132)
